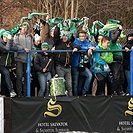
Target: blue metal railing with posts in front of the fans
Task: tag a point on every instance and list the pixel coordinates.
(29, 64)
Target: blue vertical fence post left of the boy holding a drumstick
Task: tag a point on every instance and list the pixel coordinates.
(28, 73)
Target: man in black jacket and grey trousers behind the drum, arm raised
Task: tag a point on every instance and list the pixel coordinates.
(63, 59)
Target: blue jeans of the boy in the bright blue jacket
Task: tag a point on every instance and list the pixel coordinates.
(76, 80)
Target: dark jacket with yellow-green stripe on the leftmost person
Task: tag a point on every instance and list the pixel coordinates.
(5, 57)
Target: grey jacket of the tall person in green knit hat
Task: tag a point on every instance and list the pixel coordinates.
(23, 41)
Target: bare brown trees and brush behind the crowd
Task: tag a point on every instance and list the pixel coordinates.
(94, 9)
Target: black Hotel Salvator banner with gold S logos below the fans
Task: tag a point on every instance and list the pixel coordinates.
(66, 114)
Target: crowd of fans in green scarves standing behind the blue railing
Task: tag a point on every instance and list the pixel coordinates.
(77, 69)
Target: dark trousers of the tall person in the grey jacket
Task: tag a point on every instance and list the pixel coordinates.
(20, 73)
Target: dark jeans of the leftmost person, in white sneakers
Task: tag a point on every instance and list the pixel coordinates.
(6, 73)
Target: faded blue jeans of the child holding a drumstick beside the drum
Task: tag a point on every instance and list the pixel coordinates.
(43, 78)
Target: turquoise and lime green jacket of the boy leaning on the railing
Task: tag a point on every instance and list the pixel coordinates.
(100, 59)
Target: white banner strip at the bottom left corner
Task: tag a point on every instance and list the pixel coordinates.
(1, 115)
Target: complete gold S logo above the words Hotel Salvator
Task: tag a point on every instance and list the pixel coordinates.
(54, 109)
